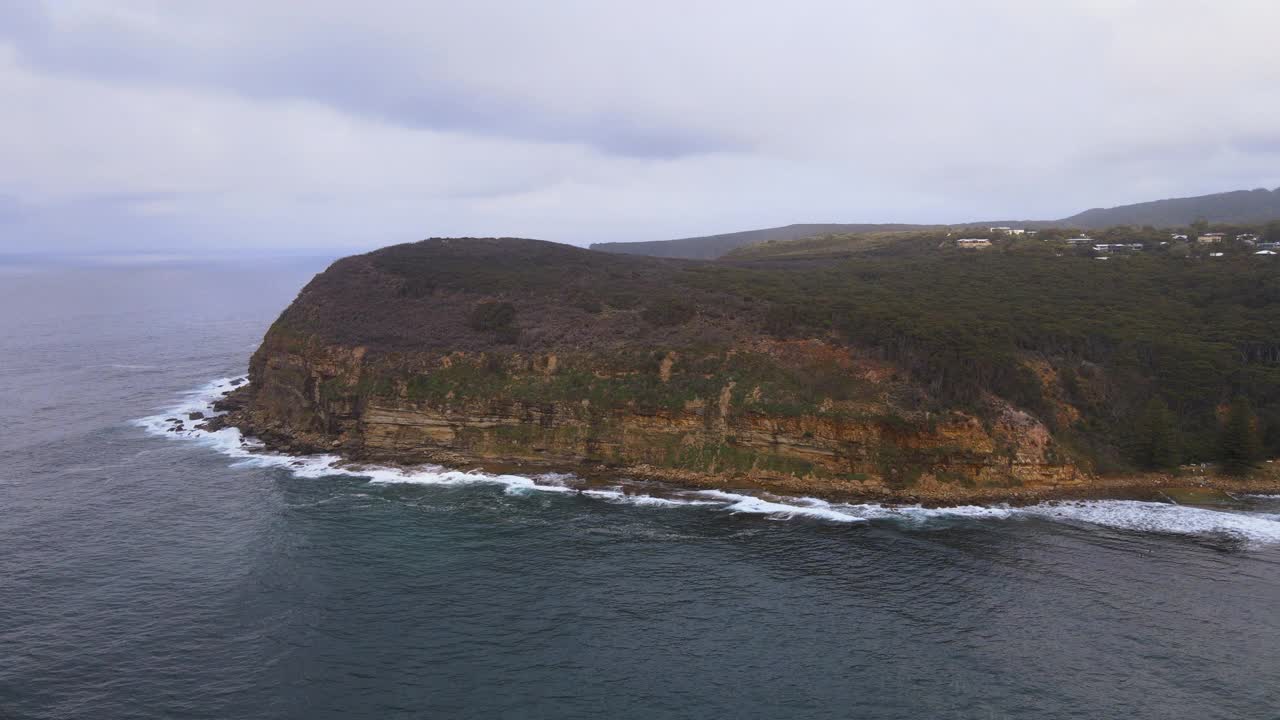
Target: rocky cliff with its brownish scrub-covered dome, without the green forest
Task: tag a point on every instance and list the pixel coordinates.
(508, 352)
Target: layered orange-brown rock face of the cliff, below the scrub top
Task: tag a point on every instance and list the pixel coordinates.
(793, 416)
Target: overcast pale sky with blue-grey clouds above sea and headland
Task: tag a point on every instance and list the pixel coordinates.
(245, 126)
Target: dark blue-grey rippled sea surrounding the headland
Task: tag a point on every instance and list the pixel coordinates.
(157, 577)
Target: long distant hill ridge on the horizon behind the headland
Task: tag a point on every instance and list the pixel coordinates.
(1244, 207)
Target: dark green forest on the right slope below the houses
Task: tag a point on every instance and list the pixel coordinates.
(1191, 334)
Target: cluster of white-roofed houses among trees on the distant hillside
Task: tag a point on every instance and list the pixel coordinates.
(1197, 241)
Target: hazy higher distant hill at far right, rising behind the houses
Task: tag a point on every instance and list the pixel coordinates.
(1242, 207)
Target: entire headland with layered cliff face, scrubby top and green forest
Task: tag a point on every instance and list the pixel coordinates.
(889, 366)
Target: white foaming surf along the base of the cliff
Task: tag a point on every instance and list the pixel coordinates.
(1255, 528)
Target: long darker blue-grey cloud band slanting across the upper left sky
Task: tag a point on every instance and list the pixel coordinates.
(359, 78)
